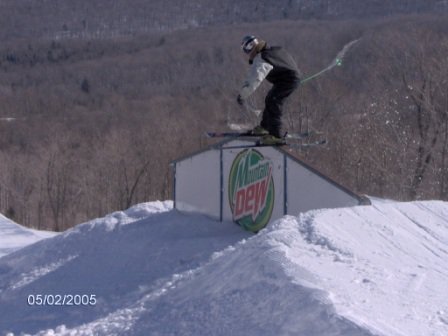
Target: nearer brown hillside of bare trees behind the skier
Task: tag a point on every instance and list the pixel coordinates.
(89, 125)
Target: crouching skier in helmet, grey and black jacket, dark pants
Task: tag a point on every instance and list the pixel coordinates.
(278, 67)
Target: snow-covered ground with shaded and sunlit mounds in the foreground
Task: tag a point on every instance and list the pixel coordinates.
(151, 270)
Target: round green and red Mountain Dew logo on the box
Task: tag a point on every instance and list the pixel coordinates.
(251, 190)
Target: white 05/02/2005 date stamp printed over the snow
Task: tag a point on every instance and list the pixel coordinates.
(61, 300)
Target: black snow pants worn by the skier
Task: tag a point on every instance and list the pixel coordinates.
(273, 110)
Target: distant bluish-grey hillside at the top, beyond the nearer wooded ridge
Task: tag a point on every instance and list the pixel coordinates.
(59, 19)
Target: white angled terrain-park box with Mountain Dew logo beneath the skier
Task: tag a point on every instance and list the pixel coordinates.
(253, 186)
